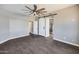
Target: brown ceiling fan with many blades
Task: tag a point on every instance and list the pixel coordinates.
(35, 10)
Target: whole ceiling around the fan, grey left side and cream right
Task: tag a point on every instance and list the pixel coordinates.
(18, 8)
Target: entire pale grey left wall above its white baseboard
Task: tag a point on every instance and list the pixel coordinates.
(12, 26)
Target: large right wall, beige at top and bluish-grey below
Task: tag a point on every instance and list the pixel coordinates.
(66, 25)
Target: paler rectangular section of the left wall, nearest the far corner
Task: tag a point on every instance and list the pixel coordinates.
(18, 28)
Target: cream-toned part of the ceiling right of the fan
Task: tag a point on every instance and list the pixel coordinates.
(54, 7)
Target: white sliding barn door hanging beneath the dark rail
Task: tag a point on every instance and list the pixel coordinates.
(42, 26)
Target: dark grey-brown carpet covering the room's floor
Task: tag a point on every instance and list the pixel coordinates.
(36, 45)
